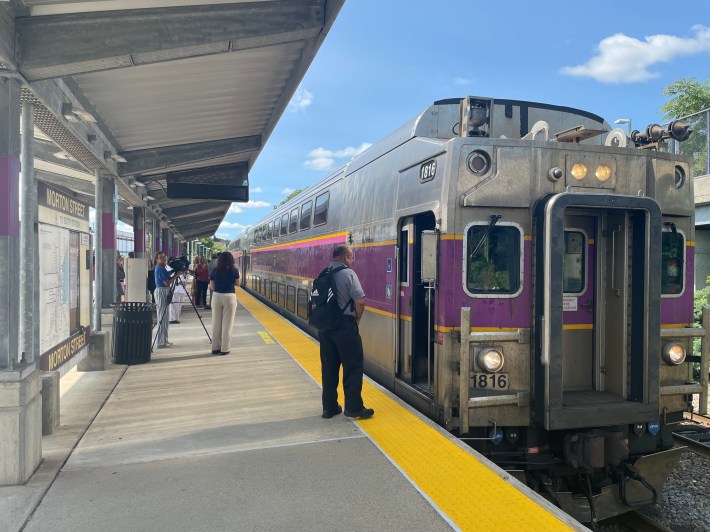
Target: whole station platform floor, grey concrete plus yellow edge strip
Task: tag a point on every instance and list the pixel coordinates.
(193, 441)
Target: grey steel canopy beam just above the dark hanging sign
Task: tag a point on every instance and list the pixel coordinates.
(149, 160)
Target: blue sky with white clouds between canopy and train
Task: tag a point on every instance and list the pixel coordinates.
(385, 61)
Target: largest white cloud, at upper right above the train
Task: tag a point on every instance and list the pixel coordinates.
(623, 59)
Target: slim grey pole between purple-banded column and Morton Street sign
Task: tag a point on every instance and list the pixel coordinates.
(29, 253)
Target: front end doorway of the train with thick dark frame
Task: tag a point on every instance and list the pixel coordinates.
(597, 310)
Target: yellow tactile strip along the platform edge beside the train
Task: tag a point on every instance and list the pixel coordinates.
(463, 488)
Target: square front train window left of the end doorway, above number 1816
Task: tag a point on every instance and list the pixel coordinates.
(493, 259)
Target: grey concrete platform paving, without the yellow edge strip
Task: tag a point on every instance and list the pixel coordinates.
(192, 441)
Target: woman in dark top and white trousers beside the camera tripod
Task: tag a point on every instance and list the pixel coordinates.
(223, 283)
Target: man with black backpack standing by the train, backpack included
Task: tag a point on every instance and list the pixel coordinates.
(337, 304)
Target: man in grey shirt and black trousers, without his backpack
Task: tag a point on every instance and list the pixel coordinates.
(343, 344)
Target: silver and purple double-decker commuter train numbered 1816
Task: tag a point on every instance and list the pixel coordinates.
(529, 281)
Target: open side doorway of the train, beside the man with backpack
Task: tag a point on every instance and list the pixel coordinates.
(415, 323)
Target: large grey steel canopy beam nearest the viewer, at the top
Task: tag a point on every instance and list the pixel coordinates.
(117, 39)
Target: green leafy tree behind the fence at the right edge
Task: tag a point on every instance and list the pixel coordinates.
(690, 96)
